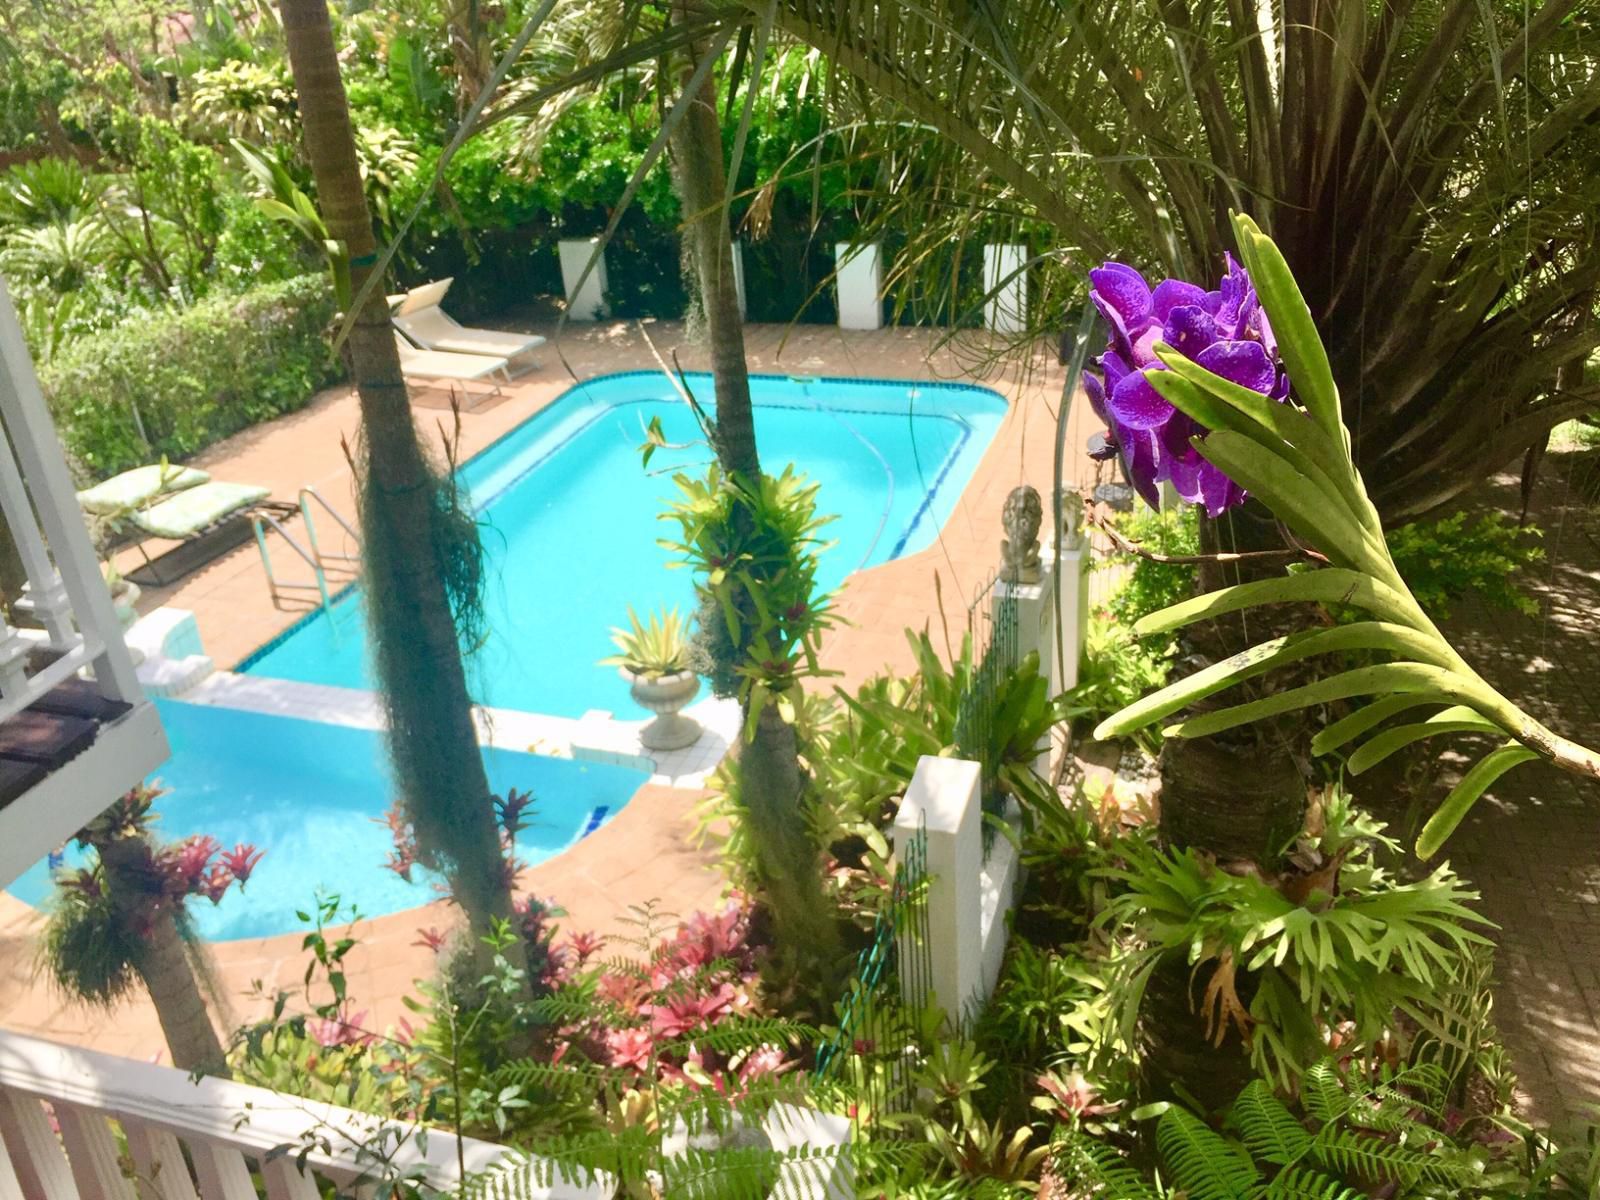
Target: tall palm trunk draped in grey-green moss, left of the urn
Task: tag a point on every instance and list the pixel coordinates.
(433, 740)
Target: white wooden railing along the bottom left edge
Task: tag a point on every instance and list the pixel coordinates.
(62, 1113)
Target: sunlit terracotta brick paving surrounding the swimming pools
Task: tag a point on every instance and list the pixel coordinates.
(644, 852)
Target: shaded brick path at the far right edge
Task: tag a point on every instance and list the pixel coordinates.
(1532, 846)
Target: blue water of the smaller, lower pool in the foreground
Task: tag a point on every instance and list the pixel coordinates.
(313, 796)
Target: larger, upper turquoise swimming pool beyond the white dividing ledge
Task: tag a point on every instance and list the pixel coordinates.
(572, 521)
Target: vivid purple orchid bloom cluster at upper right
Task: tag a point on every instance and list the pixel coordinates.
(1225, 330)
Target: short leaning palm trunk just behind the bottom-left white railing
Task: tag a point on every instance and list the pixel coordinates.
(166, 962)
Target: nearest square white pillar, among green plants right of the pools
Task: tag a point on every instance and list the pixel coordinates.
(945, 802)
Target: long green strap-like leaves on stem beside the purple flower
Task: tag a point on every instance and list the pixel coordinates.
(1297, 460)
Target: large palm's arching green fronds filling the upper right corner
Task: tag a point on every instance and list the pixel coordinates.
(1426, 166)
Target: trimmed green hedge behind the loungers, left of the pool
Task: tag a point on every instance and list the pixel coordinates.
(170, 385)
